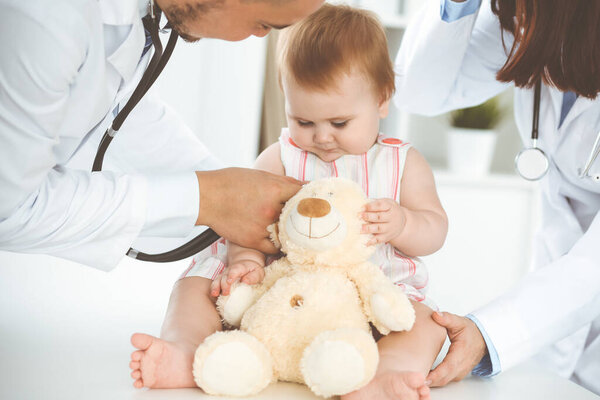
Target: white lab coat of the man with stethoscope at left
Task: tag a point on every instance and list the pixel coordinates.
(65, 67)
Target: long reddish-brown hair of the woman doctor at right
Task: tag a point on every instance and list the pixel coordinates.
(557, 40)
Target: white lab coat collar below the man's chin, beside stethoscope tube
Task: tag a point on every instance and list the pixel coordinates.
(126, 12)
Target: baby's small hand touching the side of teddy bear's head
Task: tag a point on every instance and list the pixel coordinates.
(386, 220)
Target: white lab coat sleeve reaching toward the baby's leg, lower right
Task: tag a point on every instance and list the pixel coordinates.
(548, 305)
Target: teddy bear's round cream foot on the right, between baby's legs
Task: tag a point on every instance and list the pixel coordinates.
(339, 362)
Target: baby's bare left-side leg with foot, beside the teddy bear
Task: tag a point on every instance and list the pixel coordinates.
(167, 362)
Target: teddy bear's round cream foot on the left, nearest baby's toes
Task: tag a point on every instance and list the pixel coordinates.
(232, 363)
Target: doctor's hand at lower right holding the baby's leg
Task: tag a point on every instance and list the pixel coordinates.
(466, 350)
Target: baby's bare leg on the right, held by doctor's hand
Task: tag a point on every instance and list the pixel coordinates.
(405, 359)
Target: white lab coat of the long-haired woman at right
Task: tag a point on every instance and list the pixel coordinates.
(555, 311)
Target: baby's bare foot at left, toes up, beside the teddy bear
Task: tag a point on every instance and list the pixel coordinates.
(160, 364)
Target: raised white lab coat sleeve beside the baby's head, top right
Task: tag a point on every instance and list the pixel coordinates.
(443, 66)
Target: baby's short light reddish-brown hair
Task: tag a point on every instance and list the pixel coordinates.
(336, 40)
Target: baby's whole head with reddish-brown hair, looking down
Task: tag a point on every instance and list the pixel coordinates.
(337, 77)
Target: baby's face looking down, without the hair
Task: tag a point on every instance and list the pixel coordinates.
(333, 122)
